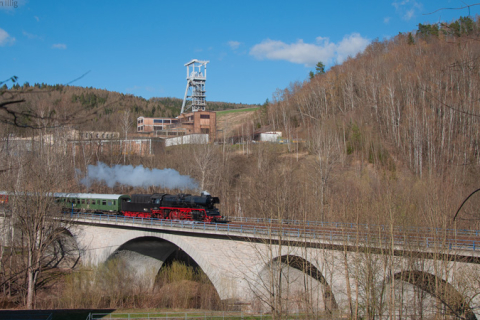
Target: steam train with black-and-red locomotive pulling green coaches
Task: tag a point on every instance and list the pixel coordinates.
(158, 205)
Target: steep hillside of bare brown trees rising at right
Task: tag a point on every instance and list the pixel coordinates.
(411, 101)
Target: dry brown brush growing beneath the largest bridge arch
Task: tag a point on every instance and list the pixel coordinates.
(113, 285)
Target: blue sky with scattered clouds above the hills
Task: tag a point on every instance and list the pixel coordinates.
(140, 47)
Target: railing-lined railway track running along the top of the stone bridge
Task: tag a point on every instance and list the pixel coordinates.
(331, 236)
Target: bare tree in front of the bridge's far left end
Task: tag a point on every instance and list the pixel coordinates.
(37, 224)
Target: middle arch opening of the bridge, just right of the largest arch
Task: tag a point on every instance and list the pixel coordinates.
(307, 281)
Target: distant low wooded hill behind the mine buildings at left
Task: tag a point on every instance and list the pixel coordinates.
(99, 108)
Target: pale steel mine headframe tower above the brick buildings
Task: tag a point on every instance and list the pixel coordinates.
(196, 77)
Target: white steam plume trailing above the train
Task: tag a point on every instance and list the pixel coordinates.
(137, 177)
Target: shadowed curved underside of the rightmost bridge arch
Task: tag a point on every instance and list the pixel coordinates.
(438, 288)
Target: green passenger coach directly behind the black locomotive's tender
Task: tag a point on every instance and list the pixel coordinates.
(91, 202)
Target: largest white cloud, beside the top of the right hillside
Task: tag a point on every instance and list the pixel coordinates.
(310, 53)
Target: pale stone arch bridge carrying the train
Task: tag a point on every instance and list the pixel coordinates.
(328, 269)
